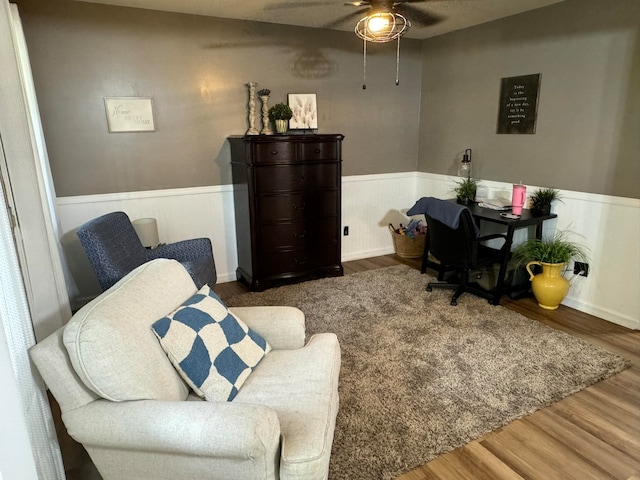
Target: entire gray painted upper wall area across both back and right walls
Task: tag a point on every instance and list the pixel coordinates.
(195, 68)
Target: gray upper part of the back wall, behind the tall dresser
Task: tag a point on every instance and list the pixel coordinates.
(196, 68)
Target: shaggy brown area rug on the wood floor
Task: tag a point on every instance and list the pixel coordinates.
(420, 377)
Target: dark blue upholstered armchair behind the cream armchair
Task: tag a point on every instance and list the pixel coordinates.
(114, 249)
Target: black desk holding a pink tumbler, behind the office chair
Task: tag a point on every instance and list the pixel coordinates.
(527, 219)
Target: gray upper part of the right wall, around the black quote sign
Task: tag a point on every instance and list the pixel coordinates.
(588, 128)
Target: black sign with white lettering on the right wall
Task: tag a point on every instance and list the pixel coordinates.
(519, 104)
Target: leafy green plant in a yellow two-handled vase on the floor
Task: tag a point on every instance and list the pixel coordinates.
(552, 253)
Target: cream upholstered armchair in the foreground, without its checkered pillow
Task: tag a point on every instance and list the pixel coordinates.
(124, 401)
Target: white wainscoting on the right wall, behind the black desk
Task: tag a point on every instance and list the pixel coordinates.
(608, 226)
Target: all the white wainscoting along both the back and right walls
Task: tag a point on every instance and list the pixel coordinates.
(608, 226)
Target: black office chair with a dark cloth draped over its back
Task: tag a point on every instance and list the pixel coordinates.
(453, 239)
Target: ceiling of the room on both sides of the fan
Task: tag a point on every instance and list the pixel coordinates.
(455, 14)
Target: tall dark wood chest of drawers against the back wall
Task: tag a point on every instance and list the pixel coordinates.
(287, 195)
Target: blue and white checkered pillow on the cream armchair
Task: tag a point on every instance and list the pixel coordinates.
(213, 351)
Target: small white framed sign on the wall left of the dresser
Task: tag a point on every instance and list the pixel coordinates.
(129, 114)
